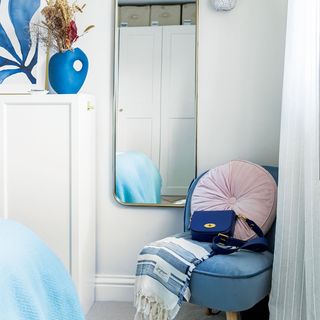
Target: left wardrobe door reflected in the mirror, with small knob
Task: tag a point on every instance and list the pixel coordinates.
(138, 114)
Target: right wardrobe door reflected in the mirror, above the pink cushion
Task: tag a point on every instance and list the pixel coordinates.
(178, 108)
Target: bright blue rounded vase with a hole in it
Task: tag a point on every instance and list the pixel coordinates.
(63, 77)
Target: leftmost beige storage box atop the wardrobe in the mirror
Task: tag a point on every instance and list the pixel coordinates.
(134, 16)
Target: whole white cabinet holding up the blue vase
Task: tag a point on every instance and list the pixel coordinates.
(47, 177)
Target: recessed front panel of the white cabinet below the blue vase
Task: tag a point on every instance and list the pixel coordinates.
(35, 171)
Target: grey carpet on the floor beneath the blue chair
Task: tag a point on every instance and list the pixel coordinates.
(125, 311)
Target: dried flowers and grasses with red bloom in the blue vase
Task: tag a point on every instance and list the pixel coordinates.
(59, 29)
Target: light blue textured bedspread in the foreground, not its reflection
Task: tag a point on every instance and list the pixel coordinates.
(34, 284)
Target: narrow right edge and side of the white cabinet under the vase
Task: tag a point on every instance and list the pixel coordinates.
(84, 202)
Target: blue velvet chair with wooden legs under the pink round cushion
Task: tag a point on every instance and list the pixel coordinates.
(232, 283)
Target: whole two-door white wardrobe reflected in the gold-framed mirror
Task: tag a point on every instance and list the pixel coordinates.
(156, 100)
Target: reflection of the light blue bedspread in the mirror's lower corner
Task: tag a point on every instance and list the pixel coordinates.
(137, 178)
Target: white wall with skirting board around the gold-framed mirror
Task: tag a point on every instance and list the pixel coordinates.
(240, 74)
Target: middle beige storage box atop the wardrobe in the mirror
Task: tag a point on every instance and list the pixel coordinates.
(166, 15)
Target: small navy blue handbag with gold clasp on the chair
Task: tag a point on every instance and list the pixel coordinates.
(207, 224)
